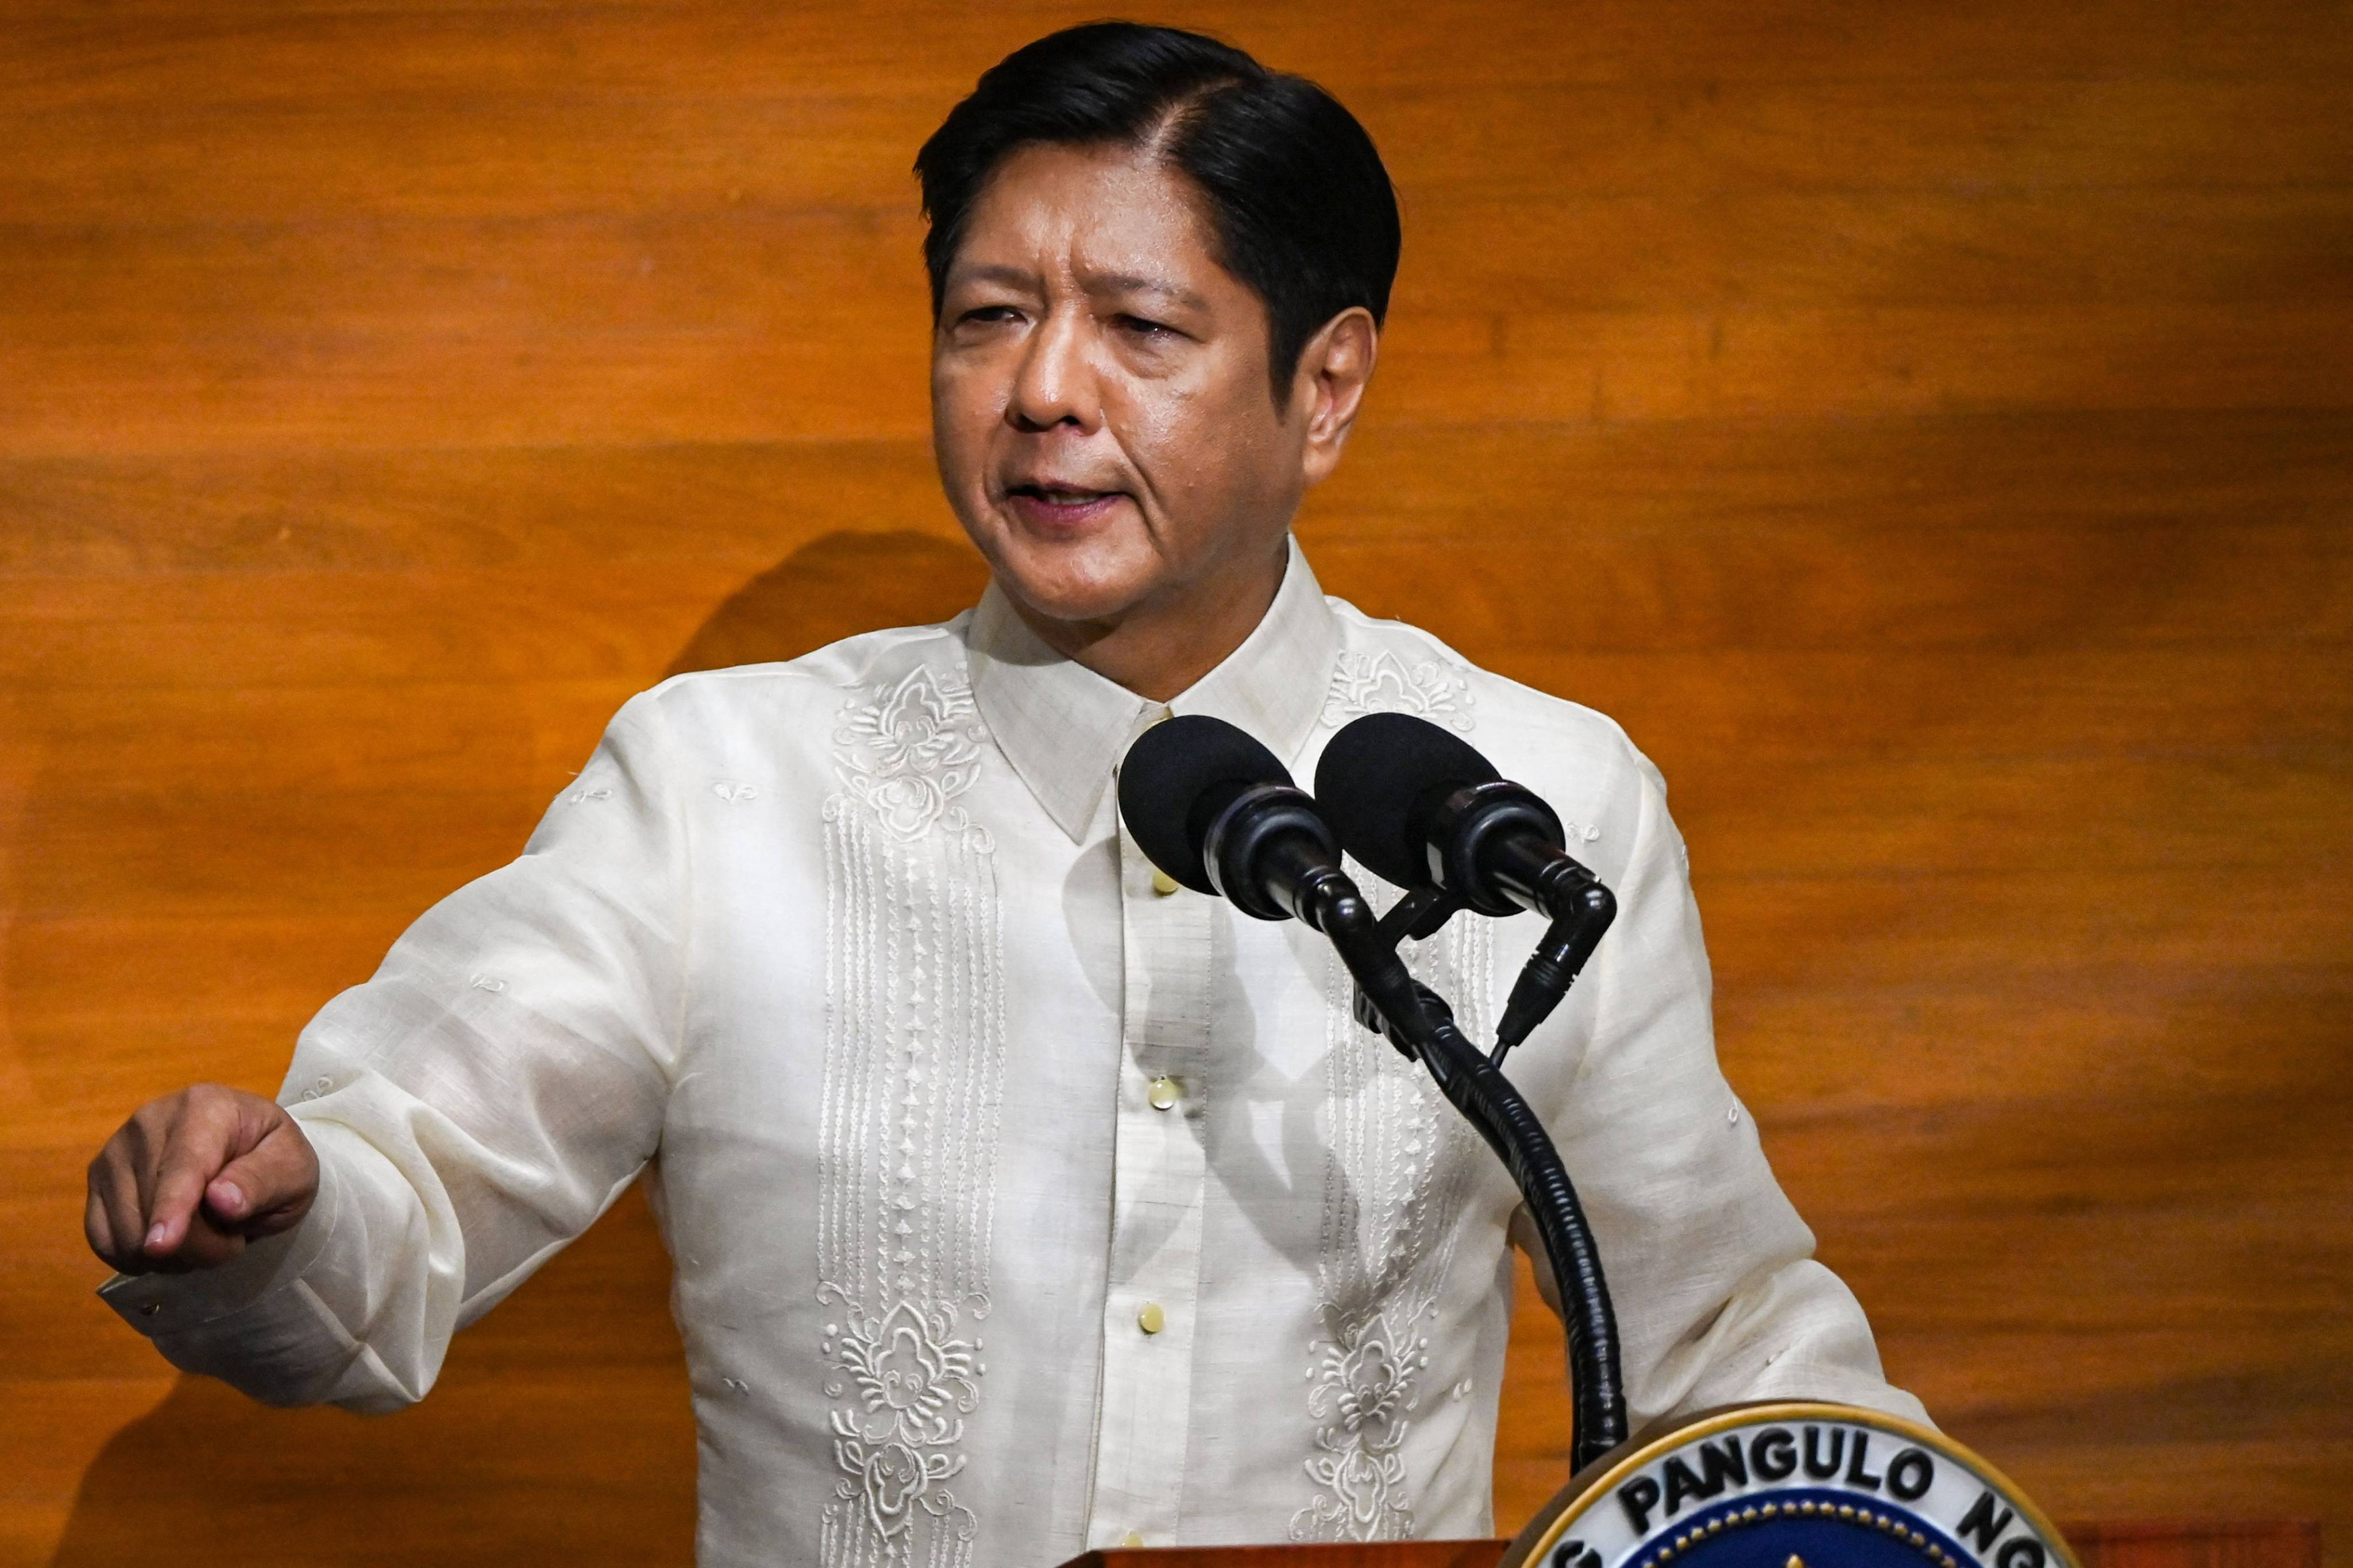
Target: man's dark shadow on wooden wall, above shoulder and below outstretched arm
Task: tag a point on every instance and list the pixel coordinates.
(559, 1428)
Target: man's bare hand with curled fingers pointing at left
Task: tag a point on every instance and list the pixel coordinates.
(194, 1177)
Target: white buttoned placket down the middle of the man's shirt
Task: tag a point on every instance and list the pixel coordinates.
(1159, 1188)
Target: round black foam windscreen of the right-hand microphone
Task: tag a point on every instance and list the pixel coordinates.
(1373, 779)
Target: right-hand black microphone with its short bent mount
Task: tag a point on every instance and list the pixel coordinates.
(1425, 810)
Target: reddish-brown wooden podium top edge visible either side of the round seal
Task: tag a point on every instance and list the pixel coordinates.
(2251, 1543)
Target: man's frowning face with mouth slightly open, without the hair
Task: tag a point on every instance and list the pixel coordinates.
(1100, 394)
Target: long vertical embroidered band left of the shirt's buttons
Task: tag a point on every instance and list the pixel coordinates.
(909, 1120)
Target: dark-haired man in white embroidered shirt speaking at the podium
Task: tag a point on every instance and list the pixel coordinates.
(1020, 1202)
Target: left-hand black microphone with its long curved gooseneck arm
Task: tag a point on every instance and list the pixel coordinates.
(1218, 812)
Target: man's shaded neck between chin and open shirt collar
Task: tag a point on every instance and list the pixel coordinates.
(1168, 643)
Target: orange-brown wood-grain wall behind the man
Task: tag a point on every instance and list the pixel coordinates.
(1928, 429)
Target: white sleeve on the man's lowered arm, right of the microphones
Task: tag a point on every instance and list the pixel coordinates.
(1712, 1271)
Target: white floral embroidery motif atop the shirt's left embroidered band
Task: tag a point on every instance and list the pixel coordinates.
(909, 749)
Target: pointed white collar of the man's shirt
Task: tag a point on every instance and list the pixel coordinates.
(1065, 728)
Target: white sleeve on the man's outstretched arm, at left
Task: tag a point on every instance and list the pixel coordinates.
(474, 1106)
